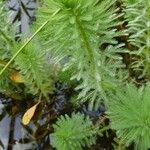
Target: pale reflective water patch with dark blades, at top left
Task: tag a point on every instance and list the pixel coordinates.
(24, 12)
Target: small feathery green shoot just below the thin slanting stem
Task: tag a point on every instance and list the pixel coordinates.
(33, 65)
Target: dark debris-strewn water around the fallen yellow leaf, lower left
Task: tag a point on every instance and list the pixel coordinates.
(35, 136)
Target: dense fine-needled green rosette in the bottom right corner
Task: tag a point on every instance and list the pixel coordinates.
(128, 110)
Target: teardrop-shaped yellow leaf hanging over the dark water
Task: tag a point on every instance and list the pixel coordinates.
(29, 114)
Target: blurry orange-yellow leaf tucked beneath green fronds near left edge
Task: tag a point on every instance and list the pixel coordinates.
(17, 77)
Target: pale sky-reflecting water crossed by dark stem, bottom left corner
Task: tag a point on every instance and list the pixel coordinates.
(11, 129)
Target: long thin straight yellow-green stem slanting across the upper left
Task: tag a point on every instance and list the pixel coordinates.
(26, 43)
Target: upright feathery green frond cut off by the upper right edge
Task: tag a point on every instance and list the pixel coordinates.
(138, 18)
